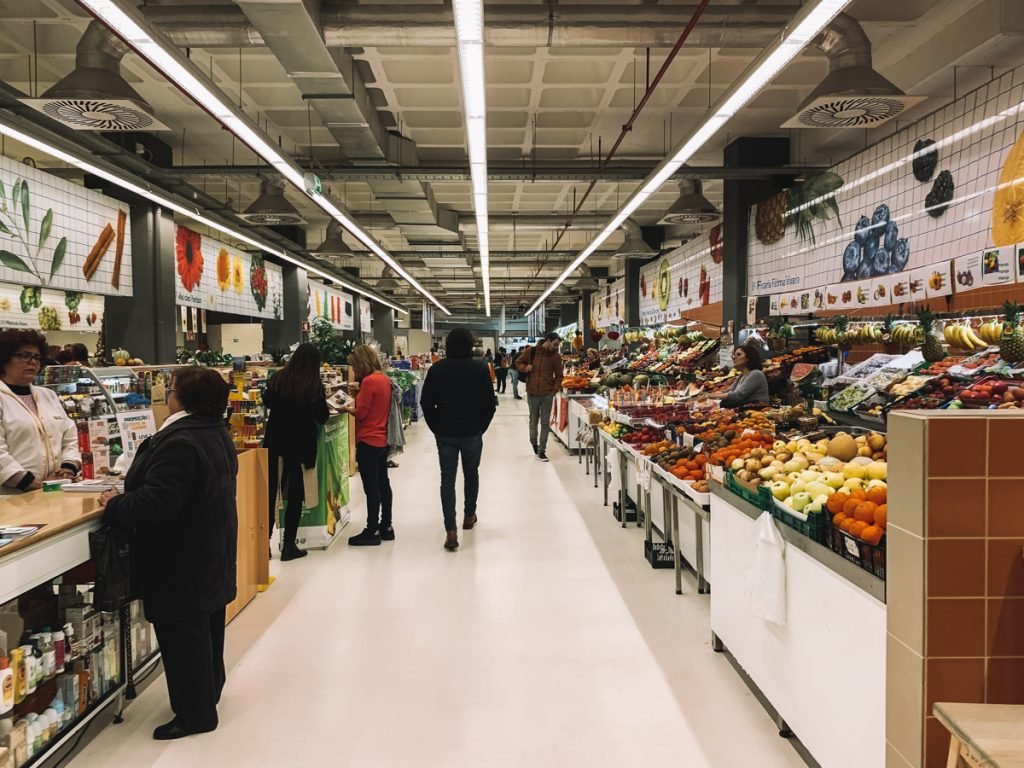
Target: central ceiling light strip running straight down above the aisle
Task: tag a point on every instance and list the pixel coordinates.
(470, 33)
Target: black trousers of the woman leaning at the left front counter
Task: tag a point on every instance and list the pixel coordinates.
(193, 653)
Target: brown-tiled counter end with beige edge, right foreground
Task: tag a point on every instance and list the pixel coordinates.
(956, 546)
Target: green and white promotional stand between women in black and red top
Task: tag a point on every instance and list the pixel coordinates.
(321, 524)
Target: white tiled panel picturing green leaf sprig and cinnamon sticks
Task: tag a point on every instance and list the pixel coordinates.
(59, 235)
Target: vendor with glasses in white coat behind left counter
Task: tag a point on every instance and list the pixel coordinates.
(38, 442)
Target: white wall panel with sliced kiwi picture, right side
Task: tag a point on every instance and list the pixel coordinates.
(685, 280)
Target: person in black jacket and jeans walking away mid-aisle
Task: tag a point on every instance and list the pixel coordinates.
(458, 405)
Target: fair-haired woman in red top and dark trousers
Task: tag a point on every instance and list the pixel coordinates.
(373, 405)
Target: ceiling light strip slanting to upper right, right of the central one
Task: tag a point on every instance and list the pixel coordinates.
(810, 20)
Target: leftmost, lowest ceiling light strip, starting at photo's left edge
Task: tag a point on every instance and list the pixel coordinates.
(16, 134)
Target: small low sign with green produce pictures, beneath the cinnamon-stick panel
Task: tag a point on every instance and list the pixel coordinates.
(31, 307)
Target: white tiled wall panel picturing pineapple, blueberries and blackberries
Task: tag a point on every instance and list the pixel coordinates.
(936, 191)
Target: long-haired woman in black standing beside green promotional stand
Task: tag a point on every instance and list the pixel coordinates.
(298, 406)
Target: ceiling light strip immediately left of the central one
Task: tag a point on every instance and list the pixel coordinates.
(130, 25)
